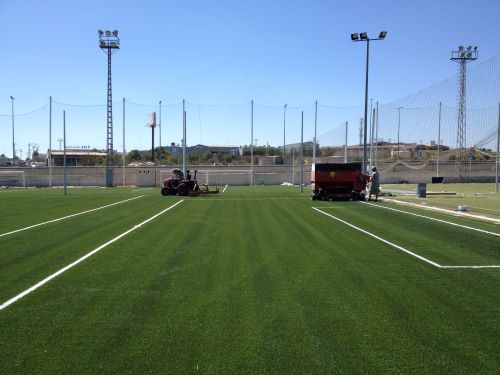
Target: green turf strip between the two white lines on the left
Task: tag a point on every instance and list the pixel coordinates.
(28, 257)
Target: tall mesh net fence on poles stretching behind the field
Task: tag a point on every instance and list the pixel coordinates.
(423, 118)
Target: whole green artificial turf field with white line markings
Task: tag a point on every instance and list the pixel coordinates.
(252, 280)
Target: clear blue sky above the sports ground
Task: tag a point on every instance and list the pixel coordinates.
(222, 52)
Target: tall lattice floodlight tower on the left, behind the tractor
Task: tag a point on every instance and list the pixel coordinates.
(109, 42)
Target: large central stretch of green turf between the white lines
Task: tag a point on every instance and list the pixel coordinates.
(216, 289)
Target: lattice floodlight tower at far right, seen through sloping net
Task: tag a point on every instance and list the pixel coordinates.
(462, 56)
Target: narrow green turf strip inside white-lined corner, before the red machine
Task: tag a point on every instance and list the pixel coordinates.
(439, 242)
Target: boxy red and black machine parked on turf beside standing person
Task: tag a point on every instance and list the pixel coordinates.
(331, 181)
